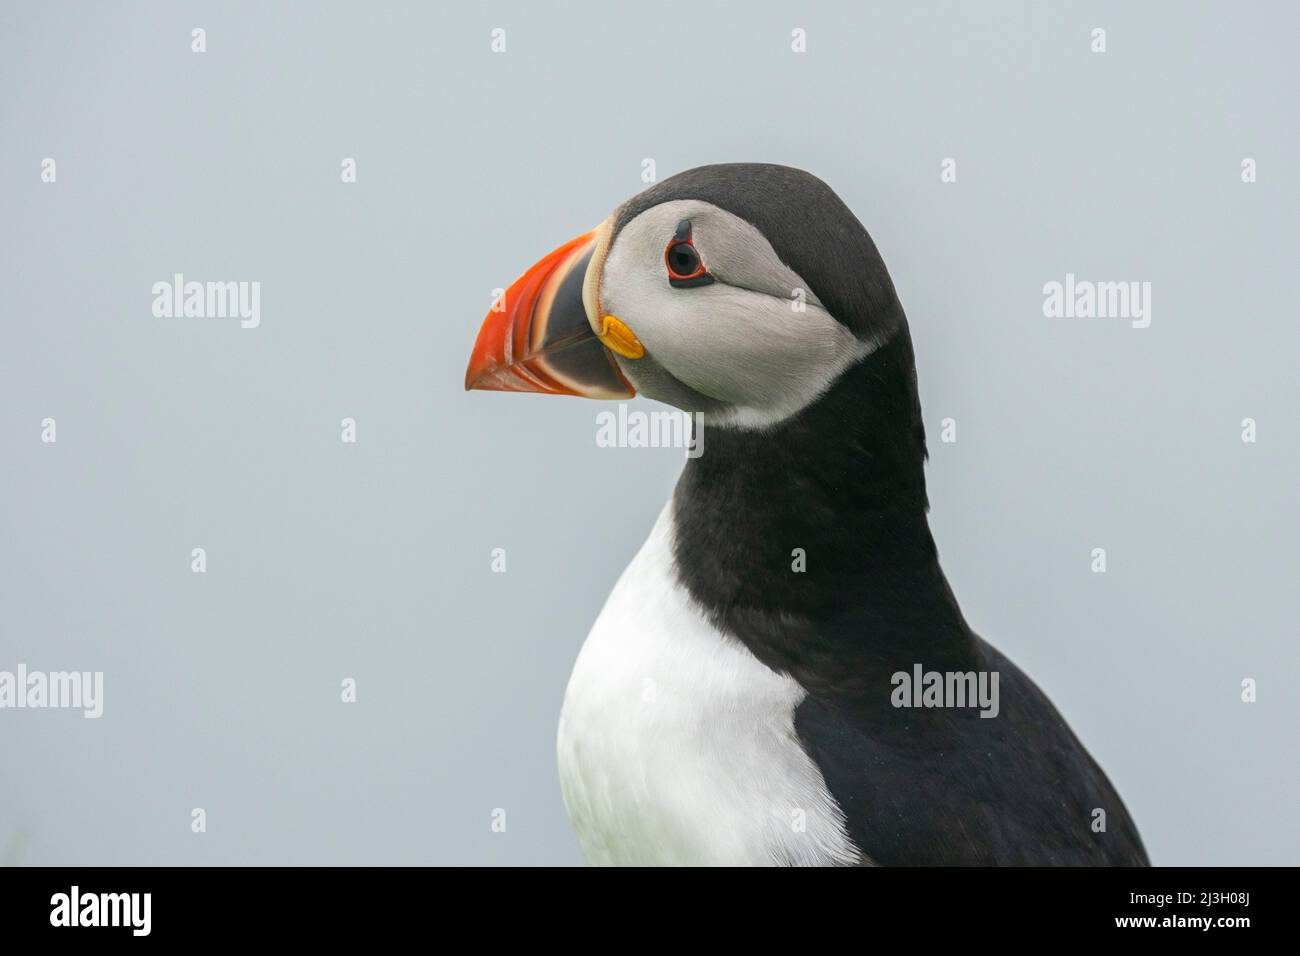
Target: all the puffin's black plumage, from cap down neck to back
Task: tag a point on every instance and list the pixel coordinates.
(844, 482)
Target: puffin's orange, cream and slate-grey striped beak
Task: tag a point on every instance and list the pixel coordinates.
(538, 336)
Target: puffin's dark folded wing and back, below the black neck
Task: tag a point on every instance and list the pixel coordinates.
(950, 788)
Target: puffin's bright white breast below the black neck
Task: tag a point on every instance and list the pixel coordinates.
(678, 746)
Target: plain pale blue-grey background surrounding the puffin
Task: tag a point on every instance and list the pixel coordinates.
(372, 560)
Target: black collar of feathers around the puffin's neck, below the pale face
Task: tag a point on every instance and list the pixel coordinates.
(842, 485)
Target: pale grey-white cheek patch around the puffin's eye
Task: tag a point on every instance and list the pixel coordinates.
(757, 340)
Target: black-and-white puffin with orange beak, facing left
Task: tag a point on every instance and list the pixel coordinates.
(746, 697)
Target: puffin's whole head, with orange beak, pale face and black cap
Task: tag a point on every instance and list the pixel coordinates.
(740, 291)
